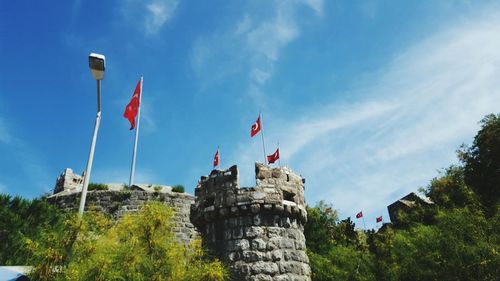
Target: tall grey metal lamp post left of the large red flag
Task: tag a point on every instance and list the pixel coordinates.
(96, 63)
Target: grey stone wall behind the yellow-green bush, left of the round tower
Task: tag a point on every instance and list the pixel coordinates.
(116, 203)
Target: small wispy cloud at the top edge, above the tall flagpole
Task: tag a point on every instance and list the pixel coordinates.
(152, 15)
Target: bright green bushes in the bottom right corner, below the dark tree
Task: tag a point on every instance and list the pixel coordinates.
(461, 245)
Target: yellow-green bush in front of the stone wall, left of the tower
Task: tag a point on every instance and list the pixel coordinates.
(140, 246)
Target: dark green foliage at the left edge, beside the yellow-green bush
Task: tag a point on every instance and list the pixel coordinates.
(22, 219)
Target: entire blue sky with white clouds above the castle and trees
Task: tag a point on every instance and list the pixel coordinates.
(368, 99)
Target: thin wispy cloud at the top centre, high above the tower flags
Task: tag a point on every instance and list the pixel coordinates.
(255, 45)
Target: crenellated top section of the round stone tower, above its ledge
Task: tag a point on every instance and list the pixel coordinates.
(278, 190)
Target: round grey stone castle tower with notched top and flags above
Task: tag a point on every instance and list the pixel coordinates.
(258, 231)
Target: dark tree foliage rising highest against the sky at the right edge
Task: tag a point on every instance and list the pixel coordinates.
(482, 163)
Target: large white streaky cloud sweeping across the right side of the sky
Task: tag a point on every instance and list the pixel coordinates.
(427, 102)
